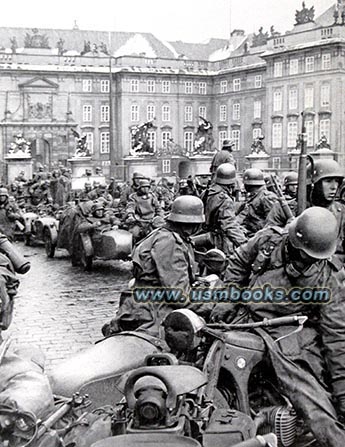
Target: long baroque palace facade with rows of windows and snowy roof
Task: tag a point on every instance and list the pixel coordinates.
(100, 84)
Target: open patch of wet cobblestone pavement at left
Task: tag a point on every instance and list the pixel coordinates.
(61, 308)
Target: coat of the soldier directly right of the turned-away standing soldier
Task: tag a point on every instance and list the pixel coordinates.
(254, 215)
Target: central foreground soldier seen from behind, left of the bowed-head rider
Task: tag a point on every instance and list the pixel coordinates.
(164, 259)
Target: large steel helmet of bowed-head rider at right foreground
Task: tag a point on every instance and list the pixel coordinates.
(315, 232)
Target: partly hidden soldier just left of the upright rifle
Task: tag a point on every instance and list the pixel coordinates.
(277, 216)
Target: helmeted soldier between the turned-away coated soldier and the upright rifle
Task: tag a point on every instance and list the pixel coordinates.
(259, 203)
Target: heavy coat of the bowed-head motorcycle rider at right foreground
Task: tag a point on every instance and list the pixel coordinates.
(264, 260)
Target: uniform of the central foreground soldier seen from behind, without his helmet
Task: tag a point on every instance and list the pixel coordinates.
(163, 259)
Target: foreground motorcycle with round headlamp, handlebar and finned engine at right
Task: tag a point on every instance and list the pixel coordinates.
(238, 374)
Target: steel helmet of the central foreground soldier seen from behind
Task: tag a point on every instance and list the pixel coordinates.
(187, 209)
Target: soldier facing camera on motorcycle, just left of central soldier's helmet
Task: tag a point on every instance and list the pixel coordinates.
(141, 209)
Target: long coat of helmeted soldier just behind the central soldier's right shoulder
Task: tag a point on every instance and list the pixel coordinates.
(221, 220)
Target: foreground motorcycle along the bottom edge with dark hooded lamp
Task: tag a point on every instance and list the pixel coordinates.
(160, 402)
